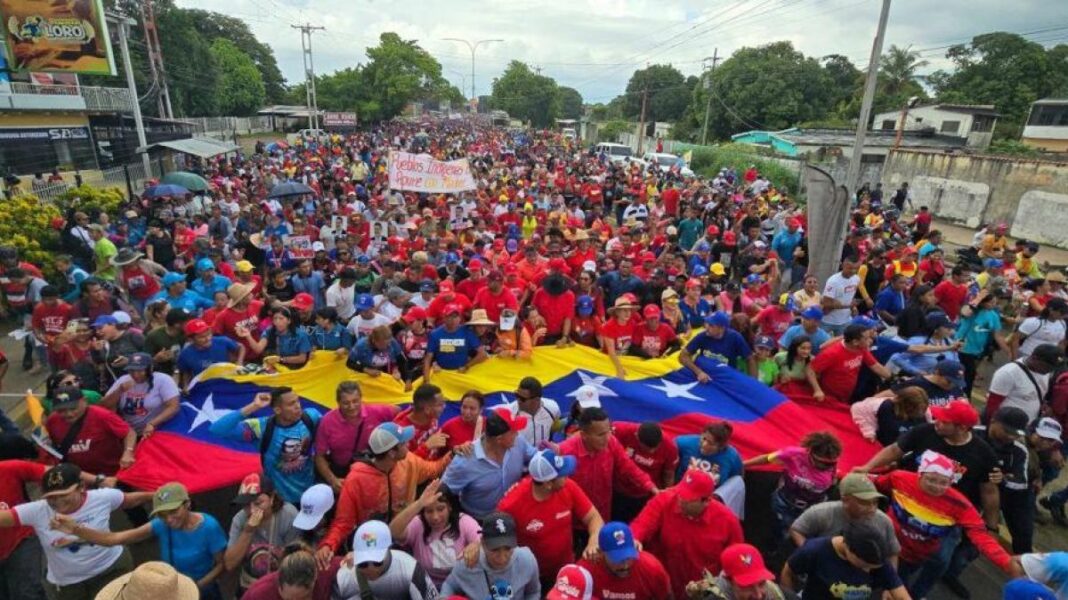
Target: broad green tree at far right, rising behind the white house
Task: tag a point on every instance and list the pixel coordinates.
(1003, 70)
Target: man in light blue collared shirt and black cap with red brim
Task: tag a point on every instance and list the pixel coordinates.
(496, 463)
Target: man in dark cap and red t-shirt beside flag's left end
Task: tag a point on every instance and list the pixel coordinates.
(102, 443)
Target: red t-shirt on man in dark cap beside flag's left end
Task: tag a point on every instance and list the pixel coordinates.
(99, 447)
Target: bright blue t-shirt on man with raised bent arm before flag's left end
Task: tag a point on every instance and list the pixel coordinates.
(289, 460)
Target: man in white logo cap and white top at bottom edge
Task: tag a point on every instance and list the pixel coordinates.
(388, 575)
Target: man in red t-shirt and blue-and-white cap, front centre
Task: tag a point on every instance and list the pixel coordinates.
(547, 508)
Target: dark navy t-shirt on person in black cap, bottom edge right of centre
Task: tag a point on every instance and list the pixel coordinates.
(833, 578)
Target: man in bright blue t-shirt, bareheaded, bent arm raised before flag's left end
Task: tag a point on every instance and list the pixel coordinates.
(285, 438)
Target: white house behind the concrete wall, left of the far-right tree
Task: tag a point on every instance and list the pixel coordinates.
(972, 123)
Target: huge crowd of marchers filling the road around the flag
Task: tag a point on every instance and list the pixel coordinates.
(557, 247)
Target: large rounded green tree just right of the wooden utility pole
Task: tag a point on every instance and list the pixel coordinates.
(772, 87)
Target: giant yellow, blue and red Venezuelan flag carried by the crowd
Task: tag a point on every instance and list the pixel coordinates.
(653, 390)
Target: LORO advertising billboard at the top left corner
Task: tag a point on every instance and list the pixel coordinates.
(57, 37)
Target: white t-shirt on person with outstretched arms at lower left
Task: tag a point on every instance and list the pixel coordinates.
(72, 563)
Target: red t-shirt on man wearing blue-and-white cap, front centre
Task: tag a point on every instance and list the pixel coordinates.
(546, 527)
